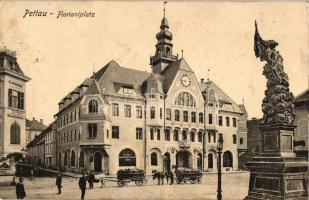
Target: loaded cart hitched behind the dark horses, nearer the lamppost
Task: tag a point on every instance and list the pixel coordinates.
(185, 175)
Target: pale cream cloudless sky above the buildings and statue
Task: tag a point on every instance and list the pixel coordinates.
(59, 53)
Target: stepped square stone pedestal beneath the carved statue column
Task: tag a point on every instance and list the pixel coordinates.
(277, 174)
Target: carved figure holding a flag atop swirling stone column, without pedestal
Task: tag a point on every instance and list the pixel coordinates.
(277, 104)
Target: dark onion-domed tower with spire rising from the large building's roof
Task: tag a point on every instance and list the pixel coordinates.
(164, 48)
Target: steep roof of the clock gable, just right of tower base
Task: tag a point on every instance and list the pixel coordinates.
(170, 72)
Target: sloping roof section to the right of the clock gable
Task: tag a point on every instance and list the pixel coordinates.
(222, 96)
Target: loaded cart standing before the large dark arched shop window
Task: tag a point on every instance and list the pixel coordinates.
(125, 176)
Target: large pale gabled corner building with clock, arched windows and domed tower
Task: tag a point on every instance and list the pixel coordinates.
(122, 118)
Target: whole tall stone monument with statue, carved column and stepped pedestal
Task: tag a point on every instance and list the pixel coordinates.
(276, 174)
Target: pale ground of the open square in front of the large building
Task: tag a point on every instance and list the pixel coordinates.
(235, 186)
